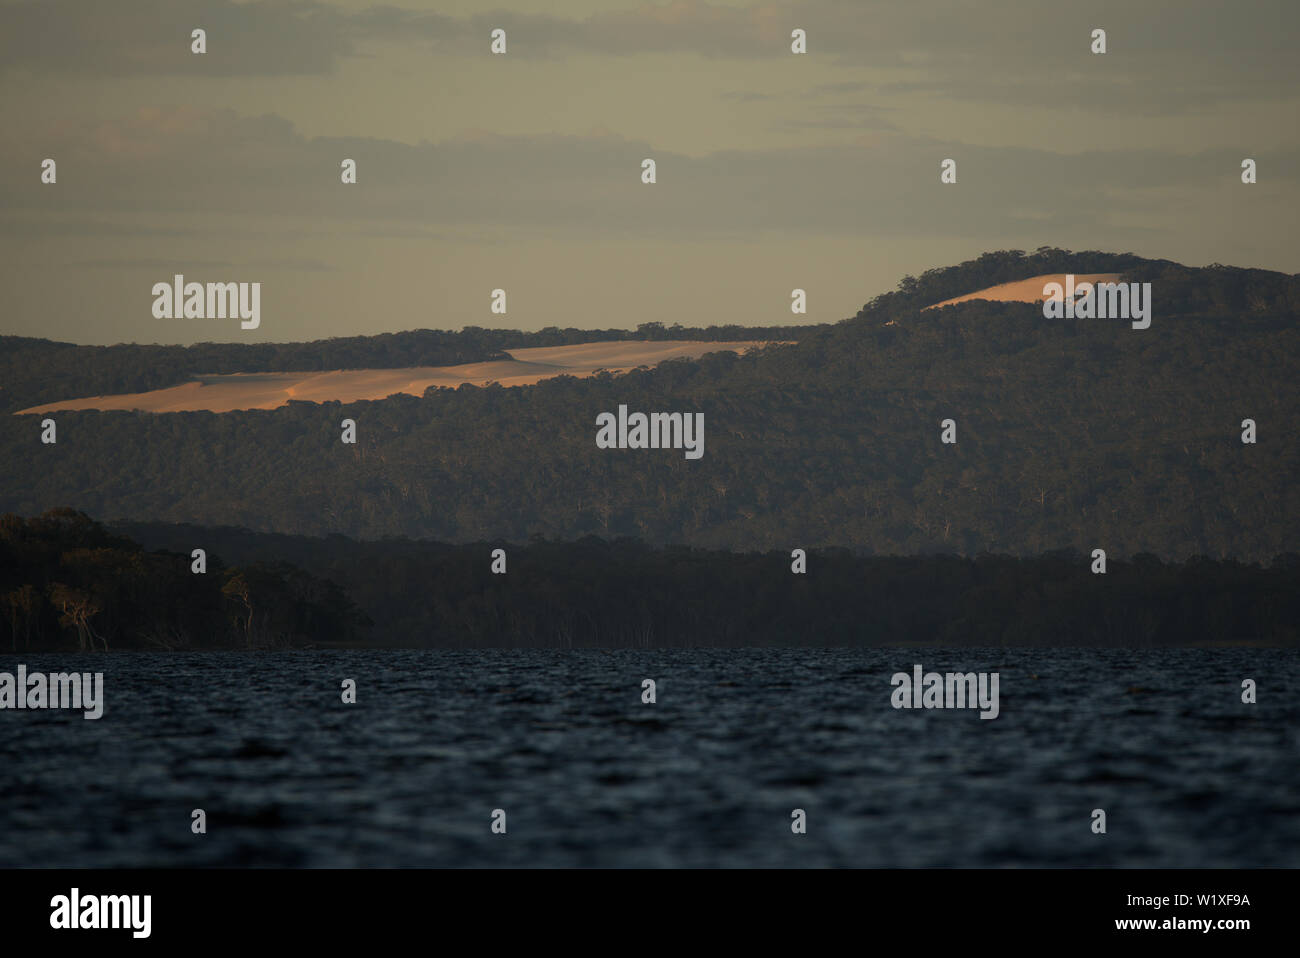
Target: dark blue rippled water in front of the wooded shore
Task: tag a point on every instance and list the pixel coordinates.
(707, 777)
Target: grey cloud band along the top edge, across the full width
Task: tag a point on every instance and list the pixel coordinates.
(1165, 55)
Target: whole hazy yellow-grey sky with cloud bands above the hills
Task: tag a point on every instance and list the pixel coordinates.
(475, 171)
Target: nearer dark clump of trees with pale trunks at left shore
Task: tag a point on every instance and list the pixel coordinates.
(67, 583)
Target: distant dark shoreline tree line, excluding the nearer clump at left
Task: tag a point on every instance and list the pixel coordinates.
(596, 593)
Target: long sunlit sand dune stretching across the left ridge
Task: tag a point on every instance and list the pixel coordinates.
(271, 391)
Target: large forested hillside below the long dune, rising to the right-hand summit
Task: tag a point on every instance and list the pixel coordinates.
(1071, 435)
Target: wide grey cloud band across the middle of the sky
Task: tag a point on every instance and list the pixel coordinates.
(180, 163)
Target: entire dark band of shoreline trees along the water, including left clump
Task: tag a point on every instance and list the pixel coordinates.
(68, 583)
